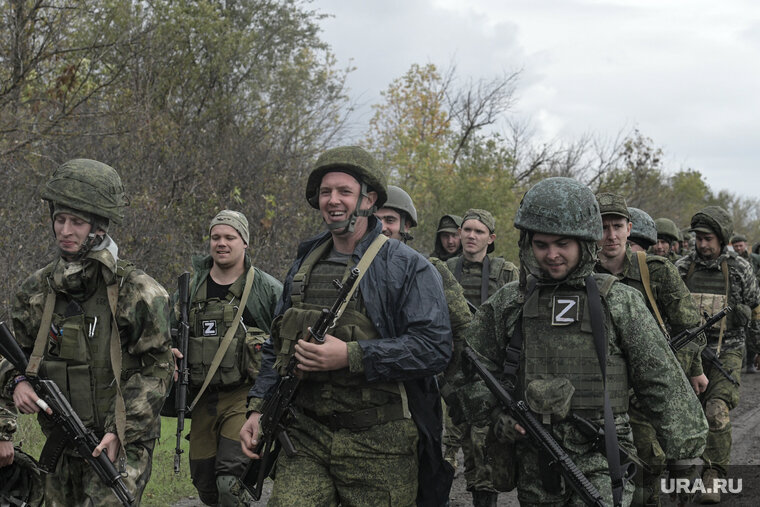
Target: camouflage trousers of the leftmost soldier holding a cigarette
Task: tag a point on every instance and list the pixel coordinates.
(76, 483)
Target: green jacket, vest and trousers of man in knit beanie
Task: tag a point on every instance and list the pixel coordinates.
(216, 459)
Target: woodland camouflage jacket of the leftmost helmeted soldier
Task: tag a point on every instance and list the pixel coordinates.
(142, 315)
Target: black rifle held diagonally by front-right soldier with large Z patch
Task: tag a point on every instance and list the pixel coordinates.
(538, 435)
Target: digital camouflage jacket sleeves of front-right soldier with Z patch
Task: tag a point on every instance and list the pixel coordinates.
(666, 397)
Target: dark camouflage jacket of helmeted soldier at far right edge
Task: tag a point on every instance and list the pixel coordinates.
(743, 297)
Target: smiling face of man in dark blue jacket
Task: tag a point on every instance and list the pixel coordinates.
(338, 194)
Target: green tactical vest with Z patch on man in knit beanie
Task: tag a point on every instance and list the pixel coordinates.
(210, 318)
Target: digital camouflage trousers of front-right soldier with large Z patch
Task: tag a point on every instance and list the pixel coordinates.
(593, 464)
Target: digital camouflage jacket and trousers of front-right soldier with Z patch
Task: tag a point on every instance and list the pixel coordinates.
(666, 397)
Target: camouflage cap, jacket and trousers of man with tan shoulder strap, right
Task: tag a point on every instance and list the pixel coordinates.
(678, 313)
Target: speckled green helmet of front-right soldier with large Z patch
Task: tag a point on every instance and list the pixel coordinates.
(561, 206)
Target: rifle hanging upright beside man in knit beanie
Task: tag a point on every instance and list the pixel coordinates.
(183, 378)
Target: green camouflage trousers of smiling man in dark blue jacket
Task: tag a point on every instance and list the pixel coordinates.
(372, 467)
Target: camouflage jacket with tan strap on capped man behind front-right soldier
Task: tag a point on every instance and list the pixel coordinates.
(673, 300)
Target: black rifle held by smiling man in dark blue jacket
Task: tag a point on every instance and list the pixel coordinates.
(277, 412)
